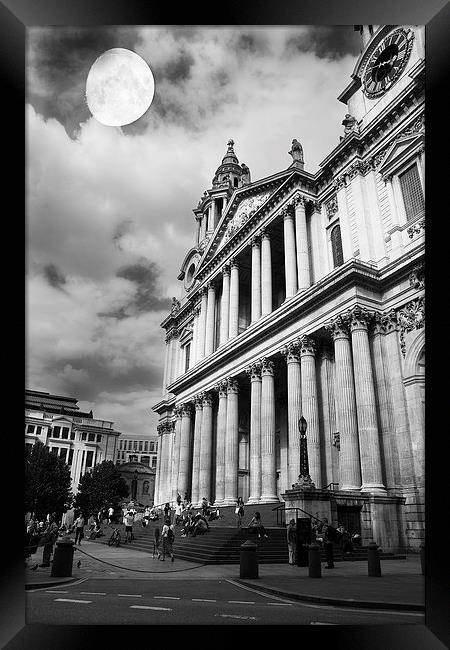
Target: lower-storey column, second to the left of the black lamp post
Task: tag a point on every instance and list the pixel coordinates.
(268, 458)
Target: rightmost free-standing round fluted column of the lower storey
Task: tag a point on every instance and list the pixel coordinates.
(369, 443)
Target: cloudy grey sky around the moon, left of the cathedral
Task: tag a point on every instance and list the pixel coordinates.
(109, 210)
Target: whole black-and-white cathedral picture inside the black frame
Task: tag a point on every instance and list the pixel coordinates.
(225, 325)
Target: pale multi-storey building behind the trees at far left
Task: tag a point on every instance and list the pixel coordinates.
(81, 440)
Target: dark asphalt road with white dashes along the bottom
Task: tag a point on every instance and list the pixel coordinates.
(95, 601)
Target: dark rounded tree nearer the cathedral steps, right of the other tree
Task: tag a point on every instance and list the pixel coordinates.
(102, 486)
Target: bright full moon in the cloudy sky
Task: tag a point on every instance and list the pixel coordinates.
(119, 87)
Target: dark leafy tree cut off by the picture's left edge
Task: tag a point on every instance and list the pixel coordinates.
(47, 482)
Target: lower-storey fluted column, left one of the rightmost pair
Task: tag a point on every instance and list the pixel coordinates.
(349, 465)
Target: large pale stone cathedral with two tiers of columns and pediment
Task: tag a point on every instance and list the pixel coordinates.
(303, 294)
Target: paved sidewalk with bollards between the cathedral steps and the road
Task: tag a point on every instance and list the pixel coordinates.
(400, 587)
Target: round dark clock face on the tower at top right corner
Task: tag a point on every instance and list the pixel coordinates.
(387, 62)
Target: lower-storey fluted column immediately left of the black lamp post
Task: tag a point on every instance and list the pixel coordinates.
(294, 399)
